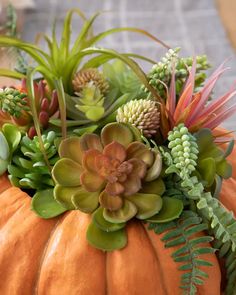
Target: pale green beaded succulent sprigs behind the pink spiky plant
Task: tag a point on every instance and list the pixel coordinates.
(161, 72)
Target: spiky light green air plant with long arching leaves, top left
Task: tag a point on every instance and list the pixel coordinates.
(63, 61)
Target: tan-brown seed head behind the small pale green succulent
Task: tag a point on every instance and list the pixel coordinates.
(83, 77)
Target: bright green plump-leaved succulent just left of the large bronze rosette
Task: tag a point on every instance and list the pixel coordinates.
(28, 169)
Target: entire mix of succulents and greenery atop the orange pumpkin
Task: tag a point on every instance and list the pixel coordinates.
(100, 136)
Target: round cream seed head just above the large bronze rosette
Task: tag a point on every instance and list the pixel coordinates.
(143, 114)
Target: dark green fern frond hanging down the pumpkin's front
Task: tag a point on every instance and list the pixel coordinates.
(185, 233)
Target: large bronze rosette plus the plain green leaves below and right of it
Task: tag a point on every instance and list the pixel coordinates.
(114, 176)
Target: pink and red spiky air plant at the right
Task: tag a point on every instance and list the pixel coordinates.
(194, 109)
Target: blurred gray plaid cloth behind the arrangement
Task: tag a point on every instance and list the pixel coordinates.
(193, 25)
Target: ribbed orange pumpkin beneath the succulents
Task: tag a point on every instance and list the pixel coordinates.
(53, 257)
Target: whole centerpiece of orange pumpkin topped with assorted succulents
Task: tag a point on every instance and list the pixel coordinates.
(113, 181)
